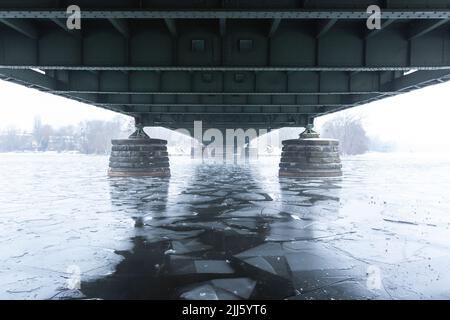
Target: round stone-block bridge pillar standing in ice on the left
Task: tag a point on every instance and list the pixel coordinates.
(140, 156)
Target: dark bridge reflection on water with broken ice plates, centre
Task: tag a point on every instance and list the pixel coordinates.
(231, 232)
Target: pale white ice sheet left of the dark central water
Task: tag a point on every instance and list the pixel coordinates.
(57, 226)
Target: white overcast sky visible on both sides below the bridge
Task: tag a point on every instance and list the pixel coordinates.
(416, 120)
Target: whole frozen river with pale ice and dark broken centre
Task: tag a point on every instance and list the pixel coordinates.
(224, 232)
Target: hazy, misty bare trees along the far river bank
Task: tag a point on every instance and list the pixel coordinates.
(94, 137)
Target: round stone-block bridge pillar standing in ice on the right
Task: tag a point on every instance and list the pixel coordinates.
(310, 158)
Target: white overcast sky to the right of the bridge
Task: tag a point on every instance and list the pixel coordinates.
(418, 120)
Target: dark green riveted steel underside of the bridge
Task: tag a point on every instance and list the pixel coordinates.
(260, 64)
